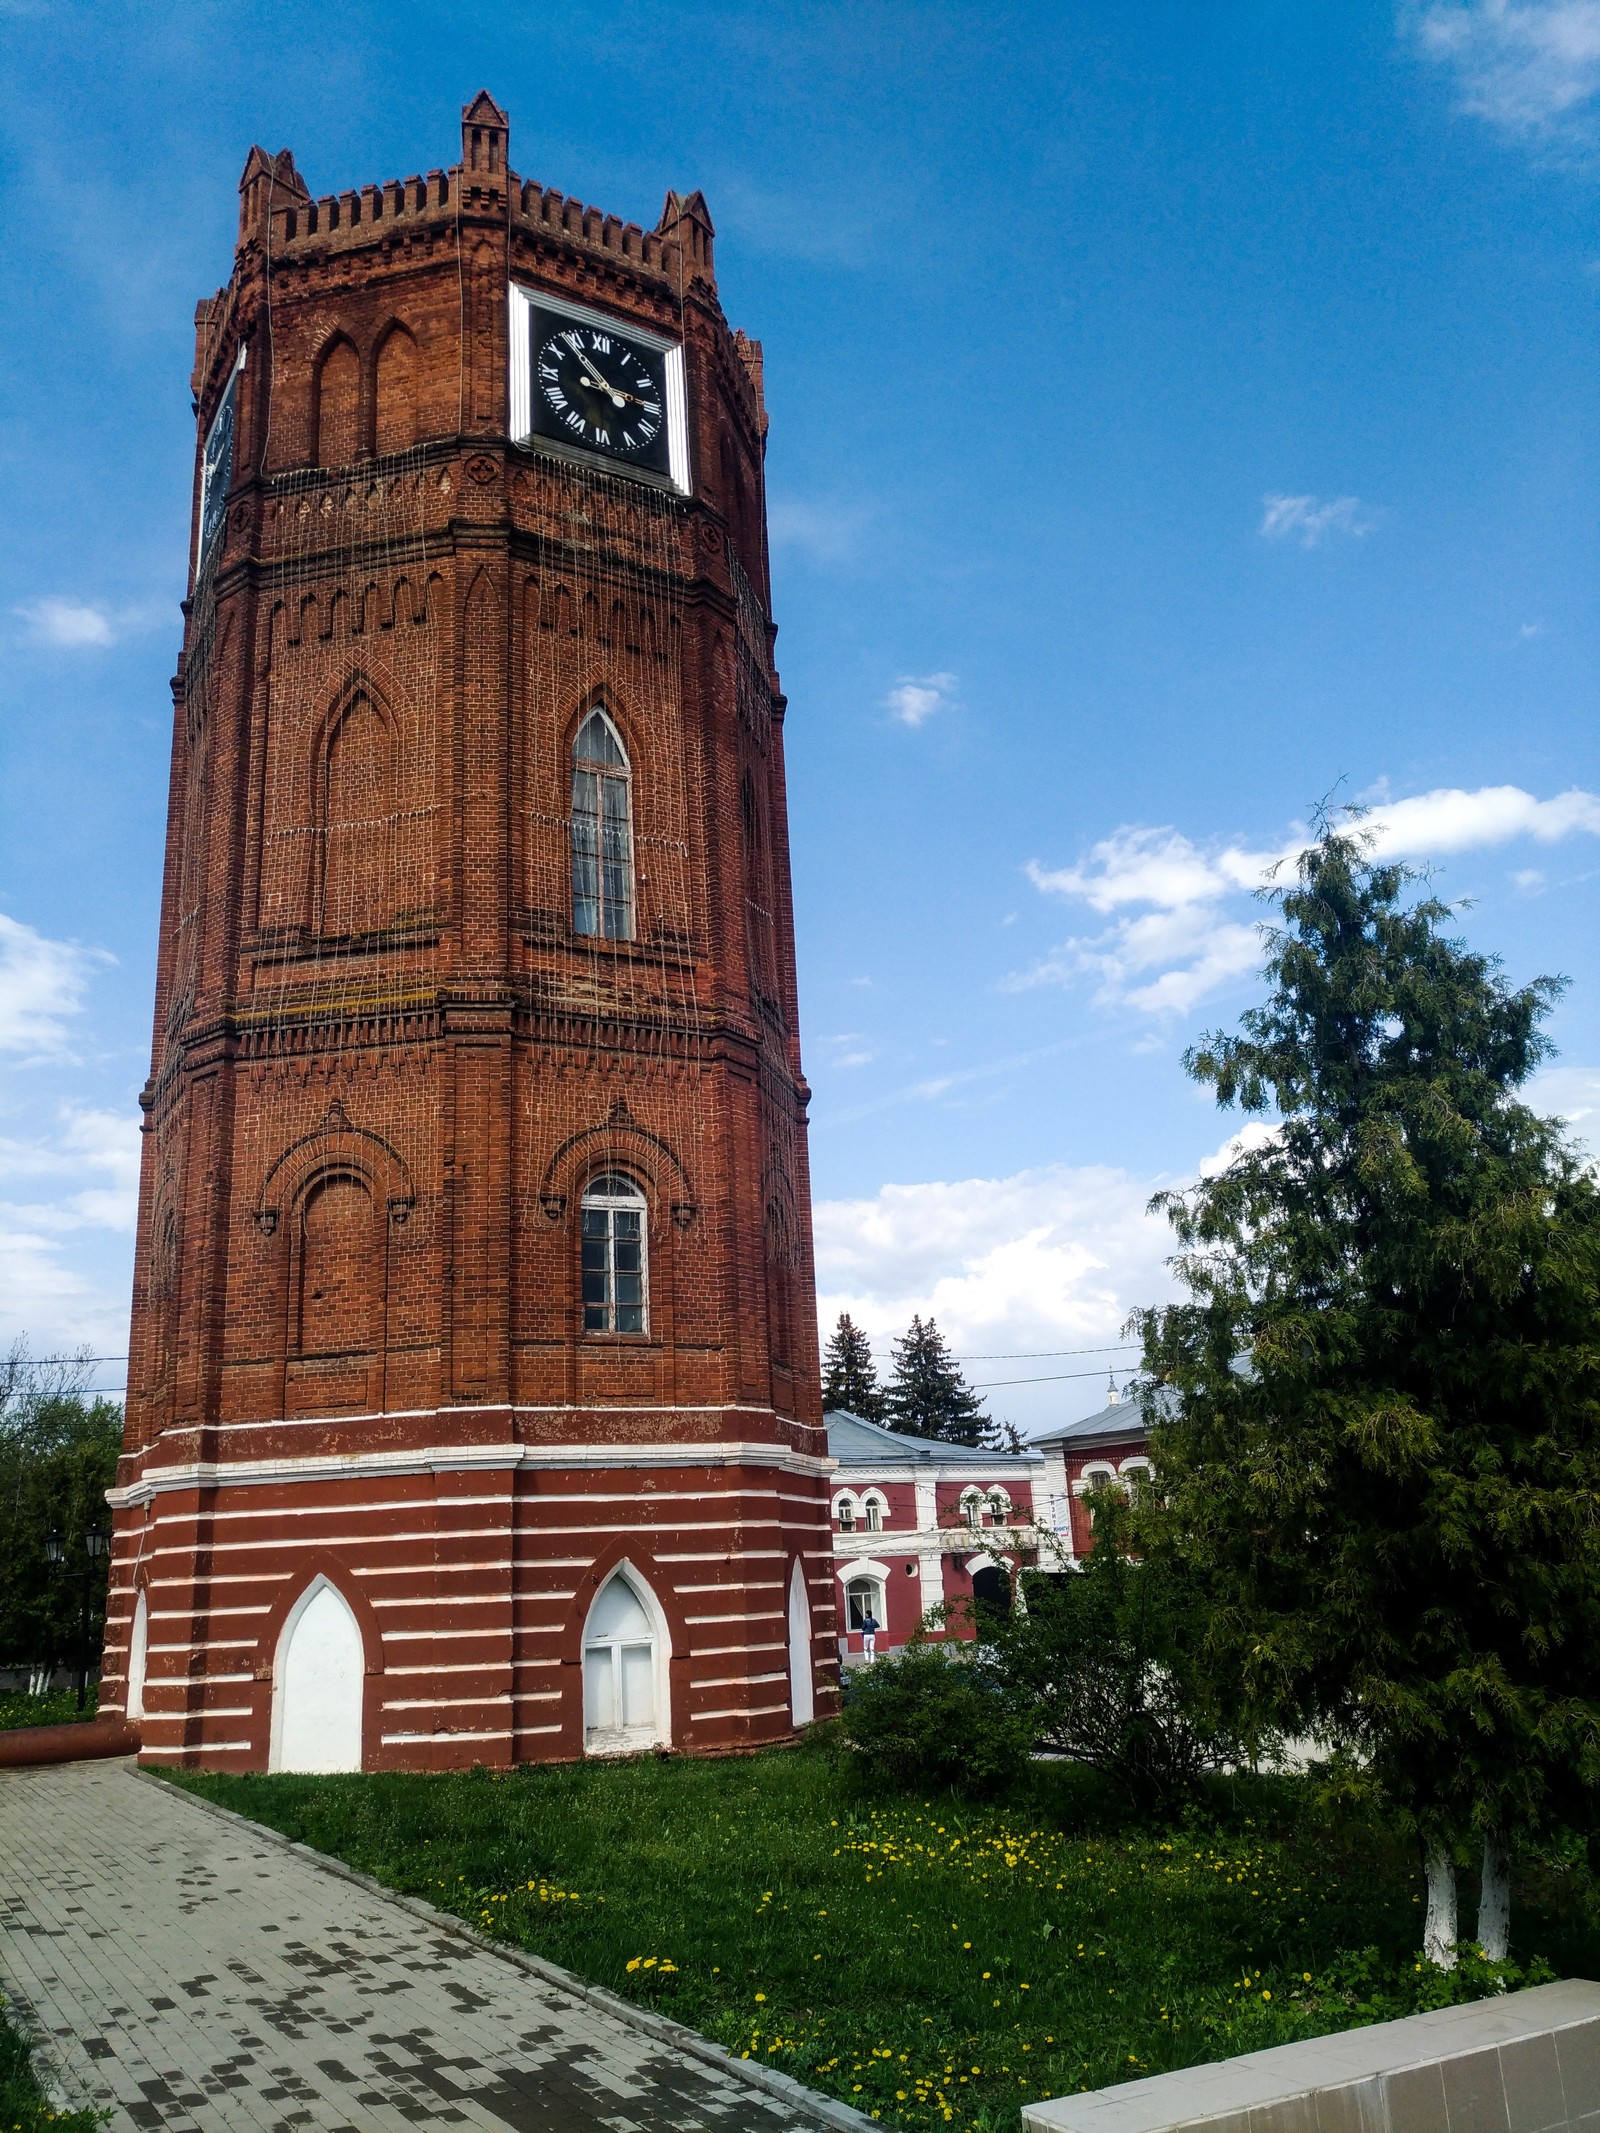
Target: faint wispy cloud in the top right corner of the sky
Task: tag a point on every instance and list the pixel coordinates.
(1533, 67)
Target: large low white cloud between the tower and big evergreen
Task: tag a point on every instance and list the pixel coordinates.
(1008, 1266)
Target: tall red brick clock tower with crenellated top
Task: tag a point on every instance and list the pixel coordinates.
(473, 1402)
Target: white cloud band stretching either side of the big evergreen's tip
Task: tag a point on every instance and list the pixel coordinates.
(1179, 923)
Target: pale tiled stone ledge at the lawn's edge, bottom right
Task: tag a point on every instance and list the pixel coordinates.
(1524, 2064)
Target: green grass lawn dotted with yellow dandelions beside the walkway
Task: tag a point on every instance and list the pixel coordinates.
(929, 1961)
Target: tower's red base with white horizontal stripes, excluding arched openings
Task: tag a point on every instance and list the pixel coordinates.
(470, 1558)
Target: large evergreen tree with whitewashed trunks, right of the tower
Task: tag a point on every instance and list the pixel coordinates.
(1383, 1456)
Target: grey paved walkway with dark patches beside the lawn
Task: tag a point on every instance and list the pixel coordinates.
(199, 1978)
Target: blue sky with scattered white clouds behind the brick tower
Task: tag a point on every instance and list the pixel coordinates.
(1179, 415)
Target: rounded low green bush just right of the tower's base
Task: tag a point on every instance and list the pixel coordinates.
(929, 1718)
